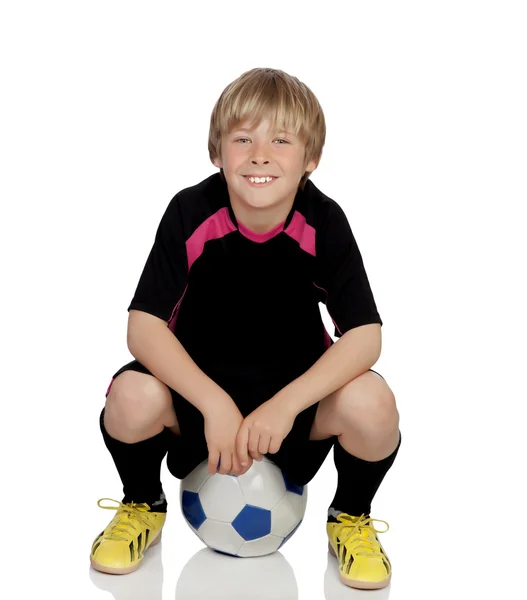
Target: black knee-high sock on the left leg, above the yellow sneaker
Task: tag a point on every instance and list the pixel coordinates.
(139, 467)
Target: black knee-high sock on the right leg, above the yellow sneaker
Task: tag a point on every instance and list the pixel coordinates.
(358, 482)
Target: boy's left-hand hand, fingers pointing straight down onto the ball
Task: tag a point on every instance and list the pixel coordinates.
(222, 423)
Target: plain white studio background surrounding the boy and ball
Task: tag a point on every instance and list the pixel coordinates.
(105, 110)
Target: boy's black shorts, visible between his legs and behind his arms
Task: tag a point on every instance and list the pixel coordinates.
(298, 457)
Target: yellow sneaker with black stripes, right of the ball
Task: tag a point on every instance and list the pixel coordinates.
(363, 563)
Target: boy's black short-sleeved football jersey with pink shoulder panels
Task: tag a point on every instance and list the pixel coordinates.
(245, 303)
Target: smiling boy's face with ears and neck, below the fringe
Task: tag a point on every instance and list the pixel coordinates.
(260, 152)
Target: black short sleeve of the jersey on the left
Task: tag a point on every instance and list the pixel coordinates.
(164, 277)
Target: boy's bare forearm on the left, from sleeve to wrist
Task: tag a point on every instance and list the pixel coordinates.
(157, 348)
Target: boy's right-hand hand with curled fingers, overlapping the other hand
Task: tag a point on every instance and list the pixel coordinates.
(264, 430)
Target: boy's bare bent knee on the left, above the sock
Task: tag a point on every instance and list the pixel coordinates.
(136, 399)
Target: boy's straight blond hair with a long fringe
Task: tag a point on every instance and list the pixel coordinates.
(270, 93)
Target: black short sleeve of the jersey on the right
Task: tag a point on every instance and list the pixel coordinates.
(341, 274)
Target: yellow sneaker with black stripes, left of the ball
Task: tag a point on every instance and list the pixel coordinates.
(120, 548)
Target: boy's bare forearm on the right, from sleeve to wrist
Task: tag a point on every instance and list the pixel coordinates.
(352, 355)
